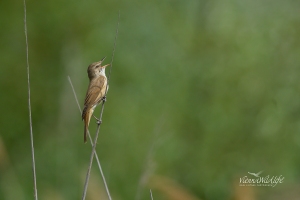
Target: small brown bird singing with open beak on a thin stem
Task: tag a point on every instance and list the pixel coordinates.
(95, 93)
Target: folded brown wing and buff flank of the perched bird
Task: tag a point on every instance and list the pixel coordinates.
(95, 91)
